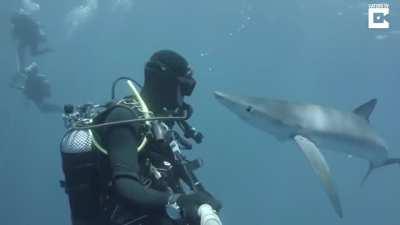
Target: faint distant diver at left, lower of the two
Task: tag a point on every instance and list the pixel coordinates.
(36, 88)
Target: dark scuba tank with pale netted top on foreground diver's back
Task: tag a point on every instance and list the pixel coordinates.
(79, 164)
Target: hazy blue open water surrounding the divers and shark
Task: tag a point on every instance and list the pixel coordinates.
(310, 51)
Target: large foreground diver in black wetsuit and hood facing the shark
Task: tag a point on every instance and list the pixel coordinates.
(123, 161)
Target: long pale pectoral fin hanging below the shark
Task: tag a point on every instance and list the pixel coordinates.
(321, 168)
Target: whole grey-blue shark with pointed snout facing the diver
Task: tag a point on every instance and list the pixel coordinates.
(313, 127)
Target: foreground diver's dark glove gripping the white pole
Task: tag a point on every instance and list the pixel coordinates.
(189, 204)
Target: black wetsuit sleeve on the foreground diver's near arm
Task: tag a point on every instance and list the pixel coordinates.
(127, 171)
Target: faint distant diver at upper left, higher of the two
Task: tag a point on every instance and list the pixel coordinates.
(28, 34)
